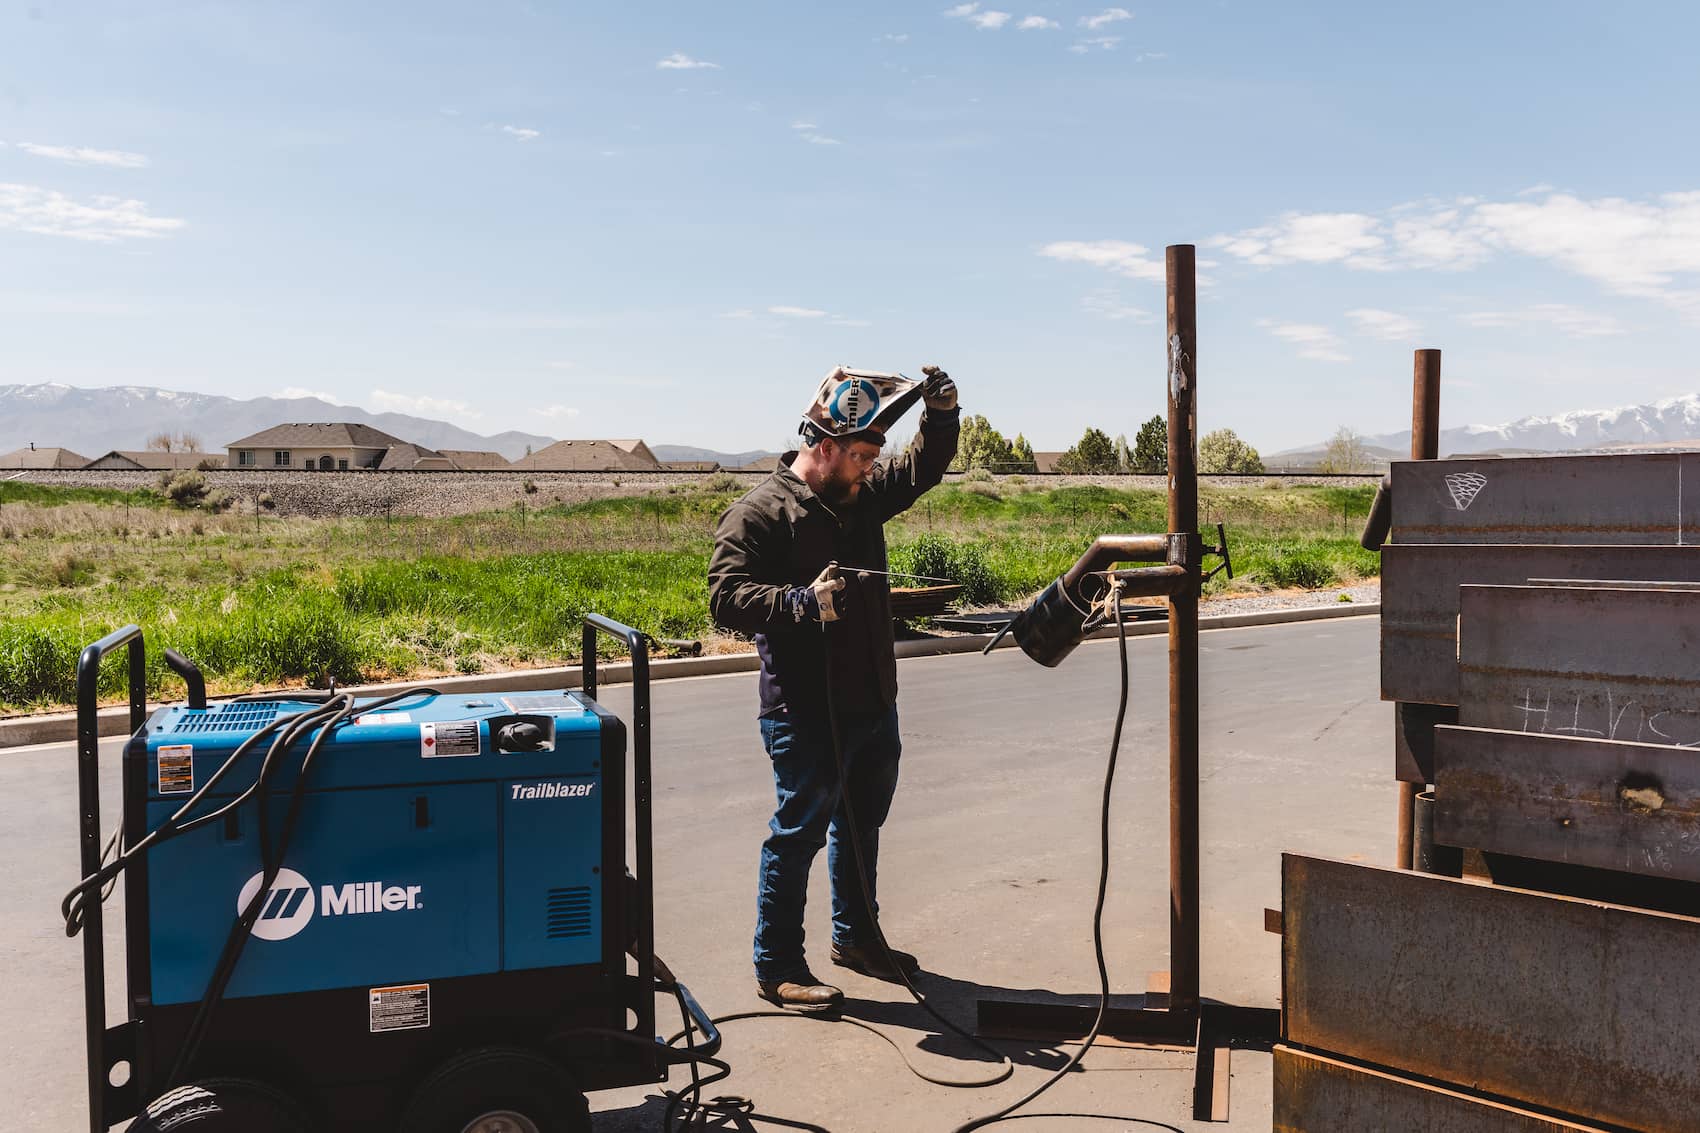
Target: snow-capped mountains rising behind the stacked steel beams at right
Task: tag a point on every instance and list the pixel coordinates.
(1672, 421)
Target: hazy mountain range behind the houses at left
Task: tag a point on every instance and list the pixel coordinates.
(123, 418)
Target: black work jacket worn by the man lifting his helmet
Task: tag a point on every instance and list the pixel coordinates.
(781, 535)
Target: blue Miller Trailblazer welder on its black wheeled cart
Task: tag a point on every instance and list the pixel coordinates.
(405, 913)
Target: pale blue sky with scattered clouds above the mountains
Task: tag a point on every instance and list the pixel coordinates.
(671, 219)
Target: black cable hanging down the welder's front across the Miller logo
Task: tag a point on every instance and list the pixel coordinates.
(327, 719)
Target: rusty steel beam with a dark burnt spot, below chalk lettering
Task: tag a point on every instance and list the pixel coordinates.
(1611, 806)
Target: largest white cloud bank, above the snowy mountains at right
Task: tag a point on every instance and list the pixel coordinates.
(1646, 249)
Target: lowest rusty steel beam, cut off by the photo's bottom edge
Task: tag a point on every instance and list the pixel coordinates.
(1320, 1095)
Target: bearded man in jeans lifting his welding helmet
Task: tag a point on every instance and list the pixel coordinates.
(786, 571)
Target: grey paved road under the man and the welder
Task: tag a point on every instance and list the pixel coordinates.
(989, 872)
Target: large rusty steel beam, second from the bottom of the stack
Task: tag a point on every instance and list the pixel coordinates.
(1568, 1005)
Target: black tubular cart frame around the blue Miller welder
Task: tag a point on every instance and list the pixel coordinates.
(615, 1059)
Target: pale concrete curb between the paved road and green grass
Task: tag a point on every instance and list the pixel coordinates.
(62, 727)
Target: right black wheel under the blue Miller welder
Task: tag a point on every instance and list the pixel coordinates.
(497, 1090)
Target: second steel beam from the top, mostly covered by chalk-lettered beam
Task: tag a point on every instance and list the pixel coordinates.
(1420, 598)
